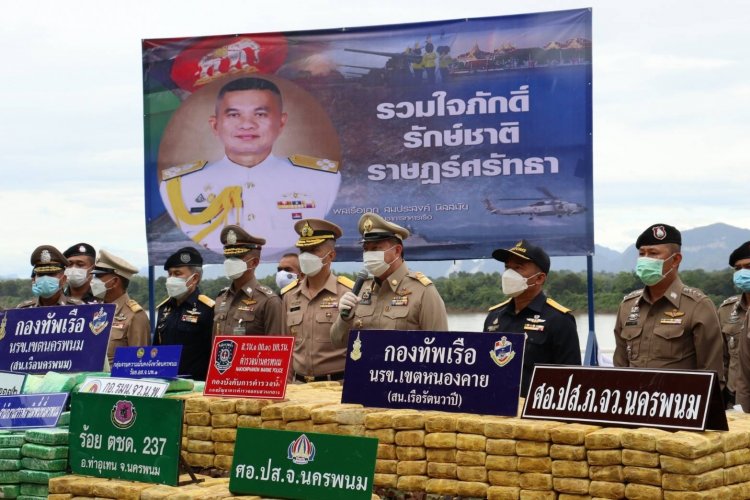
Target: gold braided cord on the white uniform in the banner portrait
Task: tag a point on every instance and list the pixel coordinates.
(218, 210)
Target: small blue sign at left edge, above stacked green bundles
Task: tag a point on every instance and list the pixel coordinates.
(27, 411)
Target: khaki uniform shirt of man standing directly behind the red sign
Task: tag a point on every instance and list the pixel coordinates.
(253, 310)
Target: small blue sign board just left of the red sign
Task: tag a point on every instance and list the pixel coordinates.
(147, 361)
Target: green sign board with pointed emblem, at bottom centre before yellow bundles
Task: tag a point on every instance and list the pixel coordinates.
(303, 465)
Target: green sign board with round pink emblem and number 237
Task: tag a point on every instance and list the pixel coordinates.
(126, 437)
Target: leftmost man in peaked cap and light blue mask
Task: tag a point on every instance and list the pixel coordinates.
(48, 279)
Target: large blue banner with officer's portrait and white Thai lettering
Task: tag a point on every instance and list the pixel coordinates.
(470, 133)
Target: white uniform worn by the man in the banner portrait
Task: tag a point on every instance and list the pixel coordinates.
(274, 195)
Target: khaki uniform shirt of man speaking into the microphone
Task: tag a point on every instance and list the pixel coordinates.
(406, 301)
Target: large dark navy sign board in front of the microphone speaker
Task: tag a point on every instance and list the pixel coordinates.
(457, 371)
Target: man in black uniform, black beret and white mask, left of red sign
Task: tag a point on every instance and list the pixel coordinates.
(186, 317)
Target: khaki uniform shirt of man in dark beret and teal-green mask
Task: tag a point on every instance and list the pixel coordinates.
(679, 330)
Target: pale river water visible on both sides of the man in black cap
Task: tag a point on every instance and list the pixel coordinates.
(604, 325)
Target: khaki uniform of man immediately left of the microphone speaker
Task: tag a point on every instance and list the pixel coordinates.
(309, 318)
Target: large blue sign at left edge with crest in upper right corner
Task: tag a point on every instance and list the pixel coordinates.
(57, 338)
